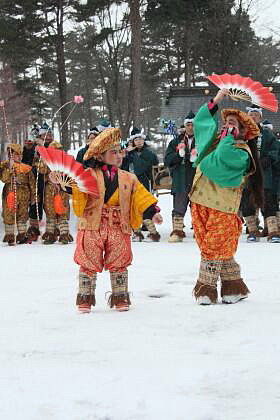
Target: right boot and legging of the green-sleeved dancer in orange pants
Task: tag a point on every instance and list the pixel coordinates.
(233, 287)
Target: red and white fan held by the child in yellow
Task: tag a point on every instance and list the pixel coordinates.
(68, 172)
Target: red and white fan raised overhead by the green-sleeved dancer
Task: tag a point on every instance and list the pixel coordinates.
(246, 89)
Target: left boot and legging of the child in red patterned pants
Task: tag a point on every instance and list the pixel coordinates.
(86, 295)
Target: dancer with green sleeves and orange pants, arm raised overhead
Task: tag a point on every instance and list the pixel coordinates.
(226, 160)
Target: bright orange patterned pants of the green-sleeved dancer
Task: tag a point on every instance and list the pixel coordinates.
(216, 233)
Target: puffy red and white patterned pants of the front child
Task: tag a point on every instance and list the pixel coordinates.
(107, 247)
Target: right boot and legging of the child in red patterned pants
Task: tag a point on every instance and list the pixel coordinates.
(119, 298)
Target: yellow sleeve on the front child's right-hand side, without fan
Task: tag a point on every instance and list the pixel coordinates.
(141, 200)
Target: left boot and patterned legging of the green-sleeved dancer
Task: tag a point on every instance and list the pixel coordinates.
(205, 290)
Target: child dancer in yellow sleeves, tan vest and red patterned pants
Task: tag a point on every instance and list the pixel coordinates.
(105, 223)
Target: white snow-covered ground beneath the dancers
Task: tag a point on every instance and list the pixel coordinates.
(166, 358)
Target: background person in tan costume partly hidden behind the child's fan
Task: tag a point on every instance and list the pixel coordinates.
(56, 207)
